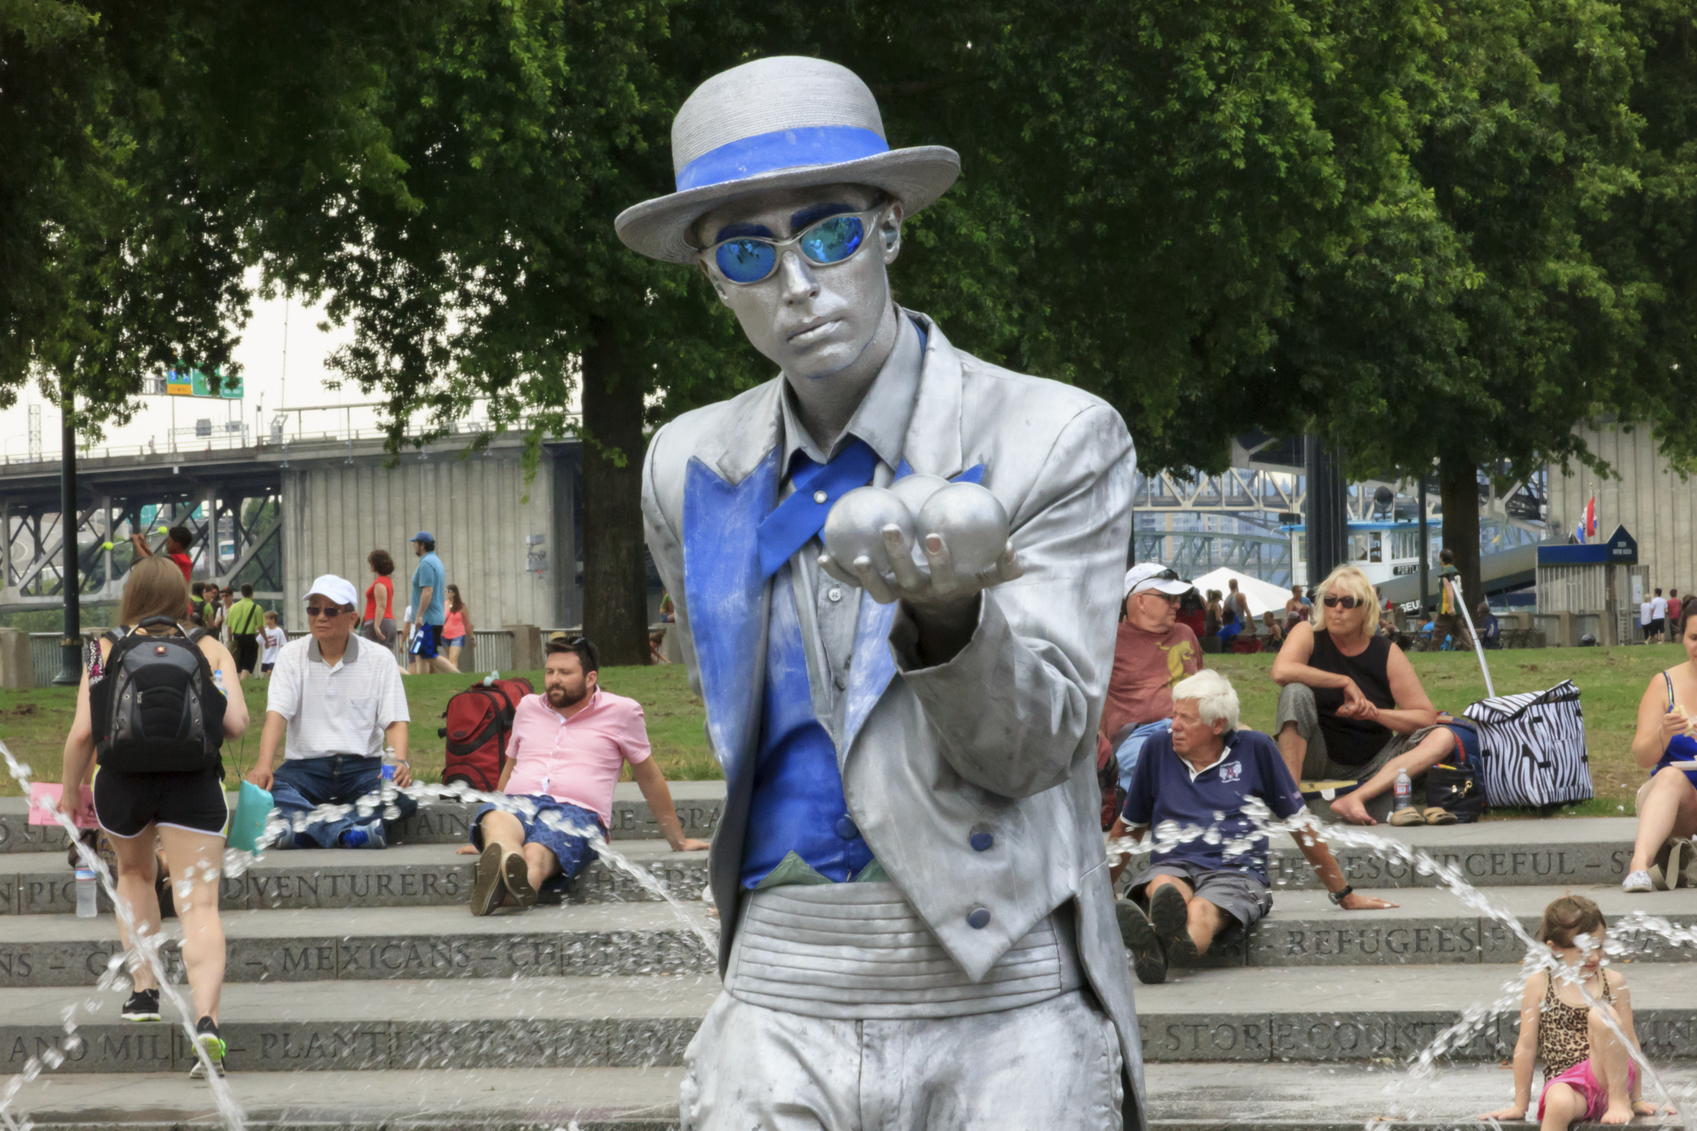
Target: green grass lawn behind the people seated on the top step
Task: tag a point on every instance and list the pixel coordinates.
(33, 723)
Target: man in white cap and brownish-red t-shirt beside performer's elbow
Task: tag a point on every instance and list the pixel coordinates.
(1151, 653)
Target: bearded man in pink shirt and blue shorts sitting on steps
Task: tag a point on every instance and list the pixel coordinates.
(566, 755)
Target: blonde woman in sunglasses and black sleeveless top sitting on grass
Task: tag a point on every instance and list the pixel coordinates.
(1350, 702)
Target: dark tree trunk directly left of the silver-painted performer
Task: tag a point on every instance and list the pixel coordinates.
(615, 566)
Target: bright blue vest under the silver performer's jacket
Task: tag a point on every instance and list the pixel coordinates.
(798, 791)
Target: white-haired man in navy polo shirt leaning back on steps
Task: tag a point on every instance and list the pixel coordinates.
(1209, 870)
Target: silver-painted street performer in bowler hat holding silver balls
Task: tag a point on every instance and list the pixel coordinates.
(919, 923)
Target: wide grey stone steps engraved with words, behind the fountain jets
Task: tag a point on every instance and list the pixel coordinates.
(366, 971)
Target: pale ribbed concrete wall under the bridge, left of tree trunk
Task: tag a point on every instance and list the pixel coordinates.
(340, 512)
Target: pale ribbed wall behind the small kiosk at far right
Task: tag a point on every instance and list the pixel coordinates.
(1655, 505)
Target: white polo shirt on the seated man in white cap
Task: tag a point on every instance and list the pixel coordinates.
(337, 709)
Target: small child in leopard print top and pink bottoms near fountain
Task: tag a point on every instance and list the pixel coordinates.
(1588, 1072)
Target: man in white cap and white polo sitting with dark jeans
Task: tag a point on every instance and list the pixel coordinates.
(340, 702)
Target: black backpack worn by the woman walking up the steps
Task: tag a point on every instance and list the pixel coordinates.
(157, 709)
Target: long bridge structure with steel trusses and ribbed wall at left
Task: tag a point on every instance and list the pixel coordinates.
(300, 502)
